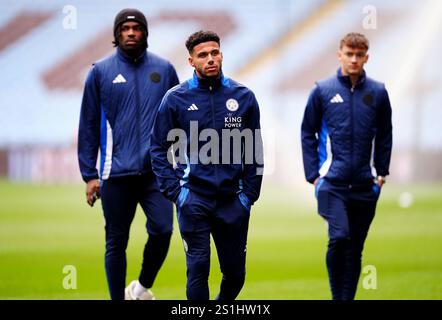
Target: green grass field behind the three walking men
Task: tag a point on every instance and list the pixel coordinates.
(45, 228)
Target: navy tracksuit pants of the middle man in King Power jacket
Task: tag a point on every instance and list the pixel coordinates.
(227, 219)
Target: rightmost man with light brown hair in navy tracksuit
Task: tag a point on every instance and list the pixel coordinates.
(346, 143)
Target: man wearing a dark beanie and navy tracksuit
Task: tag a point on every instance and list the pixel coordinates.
(121, 96)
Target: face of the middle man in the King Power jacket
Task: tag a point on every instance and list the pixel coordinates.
(207, 59)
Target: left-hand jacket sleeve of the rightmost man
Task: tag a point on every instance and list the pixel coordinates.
(310, 127)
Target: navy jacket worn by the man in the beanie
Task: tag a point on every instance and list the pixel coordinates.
(120, 100)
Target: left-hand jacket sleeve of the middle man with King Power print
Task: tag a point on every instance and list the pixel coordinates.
(168, 182)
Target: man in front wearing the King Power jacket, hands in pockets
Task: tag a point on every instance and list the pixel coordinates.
(214, 178)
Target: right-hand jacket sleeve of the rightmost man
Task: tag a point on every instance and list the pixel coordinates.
(384, 137)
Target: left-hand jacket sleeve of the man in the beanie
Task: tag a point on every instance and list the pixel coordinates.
(89, 128)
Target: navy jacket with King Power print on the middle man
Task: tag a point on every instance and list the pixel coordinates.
(216, 104)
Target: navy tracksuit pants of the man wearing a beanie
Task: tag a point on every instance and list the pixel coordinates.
(120, 197)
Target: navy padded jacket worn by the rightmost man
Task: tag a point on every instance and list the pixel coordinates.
(347, 132)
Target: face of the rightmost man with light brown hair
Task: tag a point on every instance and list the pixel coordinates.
(352, 60)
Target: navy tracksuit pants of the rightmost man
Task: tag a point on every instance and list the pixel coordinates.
(349, 211)
